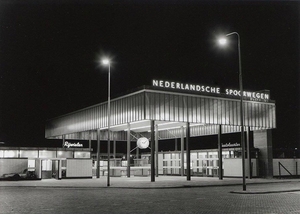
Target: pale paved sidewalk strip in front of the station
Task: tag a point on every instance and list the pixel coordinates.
(254, 186)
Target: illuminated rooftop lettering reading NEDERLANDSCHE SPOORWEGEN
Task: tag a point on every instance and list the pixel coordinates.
(254, 96)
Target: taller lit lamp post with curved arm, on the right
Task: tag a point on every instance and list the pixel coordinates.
(223, 41)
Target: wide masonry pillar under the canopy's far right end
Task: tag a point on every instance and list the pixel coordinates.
(263, 141)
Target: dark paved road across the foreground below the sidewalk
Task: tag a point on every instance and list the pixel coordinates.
(218, 199)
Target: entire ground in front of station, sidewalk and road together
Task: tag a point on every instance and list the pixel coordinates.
(145, 197)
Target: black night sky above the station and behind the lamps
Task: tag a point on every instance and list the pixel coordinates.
(49, 53)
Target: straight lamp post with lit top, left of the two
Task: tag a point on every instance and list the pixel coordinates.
(106, 62)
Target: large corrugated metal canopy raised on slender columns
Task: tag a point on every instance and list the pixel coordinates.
(169, 109)
